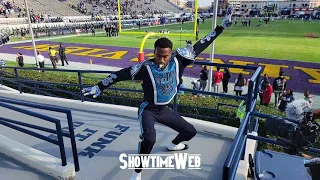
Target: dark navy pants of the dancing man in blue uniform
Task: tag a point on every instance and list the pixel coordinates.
(149, 115)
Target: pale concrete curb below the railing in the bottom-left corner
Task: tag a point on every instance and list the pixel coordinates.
(36, 159)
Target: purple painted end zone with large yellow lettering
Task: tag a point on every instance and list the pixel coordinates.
(300, 75)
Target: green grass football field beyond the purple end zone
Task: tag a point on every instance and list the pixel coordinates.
(276, 40)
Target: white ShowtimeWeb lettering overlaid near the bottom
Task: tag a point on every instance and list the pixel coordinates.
(160, 161)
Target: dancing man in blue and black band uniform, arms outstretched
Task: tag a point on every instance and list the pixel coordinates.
(161, 78)
